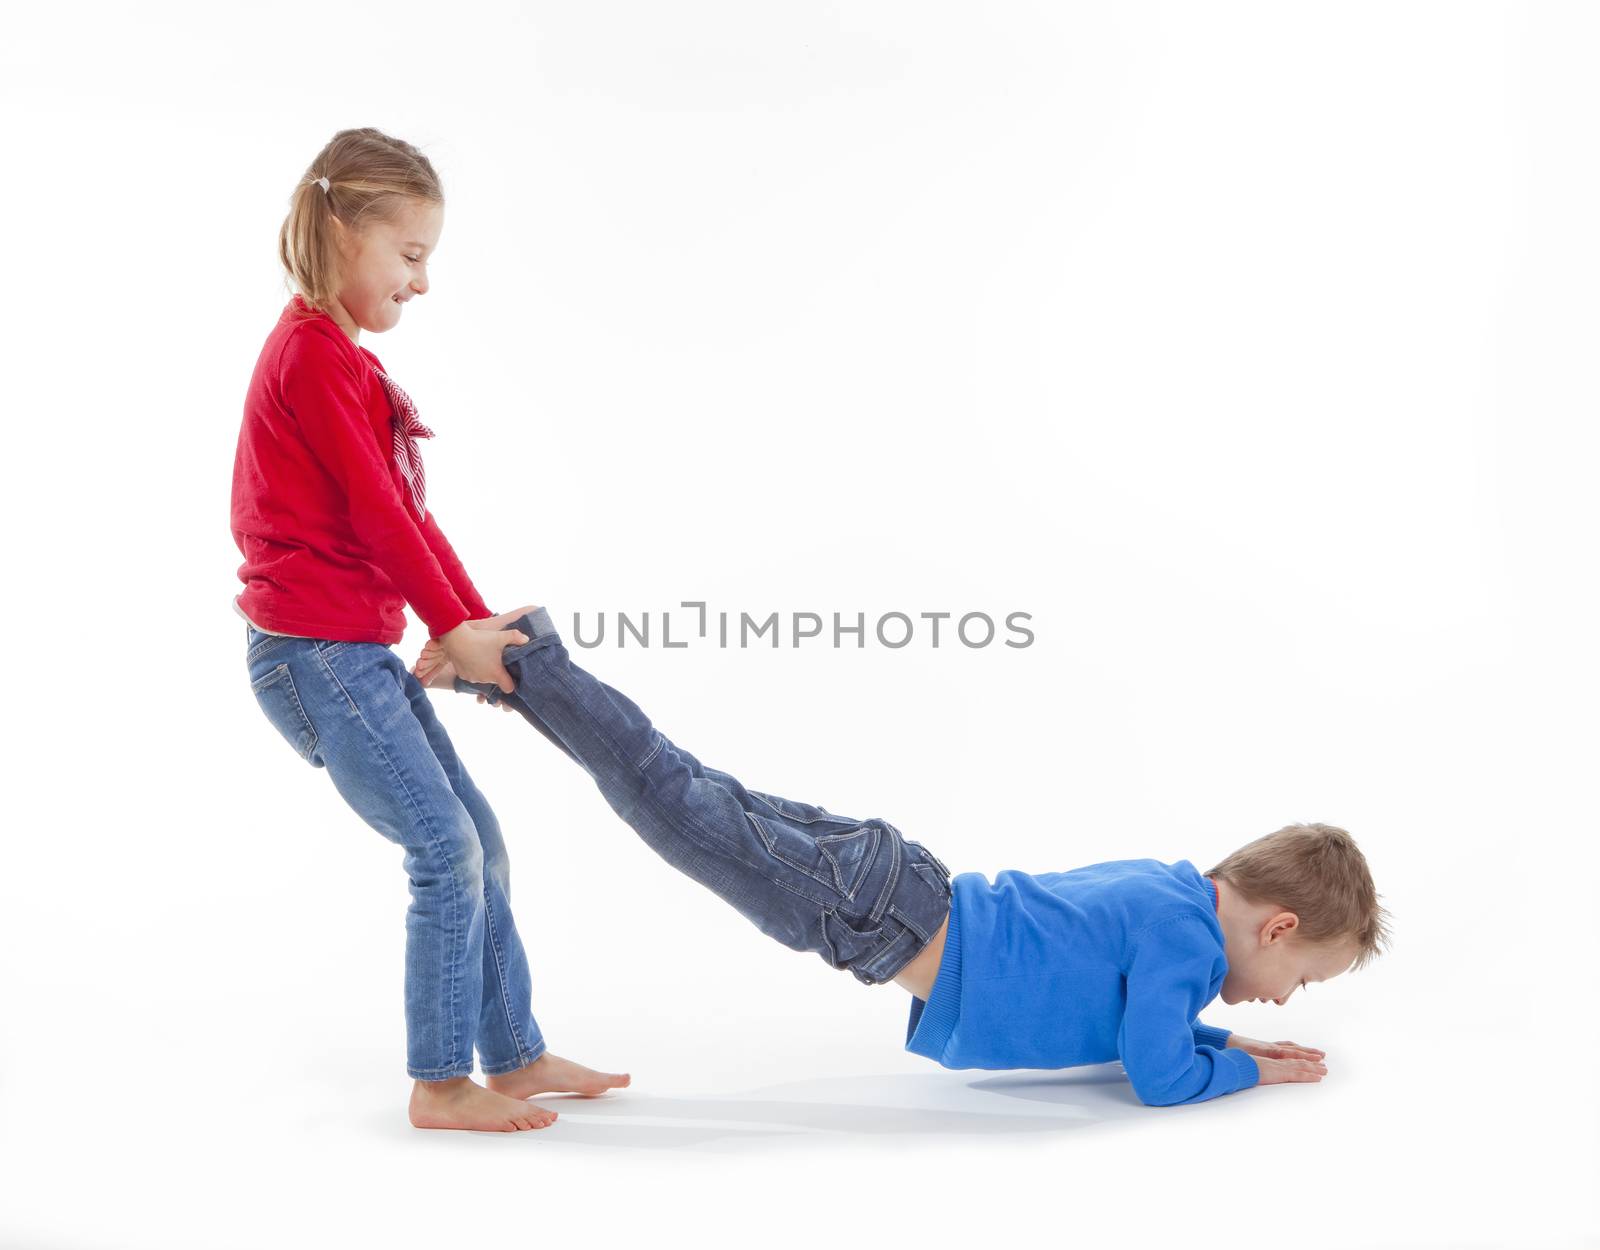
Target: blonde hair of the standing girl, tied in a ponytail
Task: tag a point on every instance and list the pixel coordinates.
(370, 178)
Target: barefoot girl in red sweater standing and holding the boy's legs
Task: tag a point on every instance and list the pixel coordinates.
(329, 511)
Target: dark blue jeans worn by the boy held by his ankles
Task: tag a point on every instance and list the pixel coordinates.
(854, 892)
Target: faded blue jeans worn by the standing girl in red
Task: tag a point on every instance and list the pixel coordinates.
(354, 710)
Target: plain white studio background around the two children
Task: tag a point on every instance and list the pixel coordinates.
(1249, 348)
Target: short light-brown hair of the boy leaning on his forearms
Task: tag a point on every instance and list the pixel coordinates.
(1318, 873)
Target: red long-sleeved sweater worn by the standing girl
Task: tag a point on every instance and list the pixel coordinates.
(332, 550)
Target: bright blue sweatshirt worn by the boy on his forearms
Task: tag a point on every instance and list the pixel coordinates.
(1103, 963)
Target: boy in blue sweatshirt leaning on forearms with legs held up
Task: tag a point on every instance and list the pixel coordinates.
(1034, 971)
